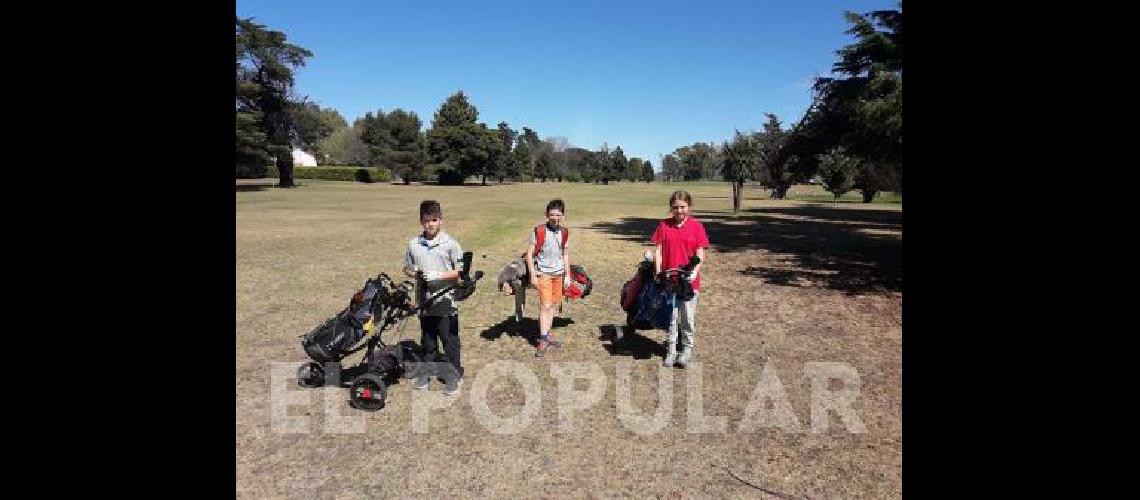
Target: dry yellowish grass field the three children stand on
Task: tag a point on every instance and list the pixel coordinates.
(788, 283)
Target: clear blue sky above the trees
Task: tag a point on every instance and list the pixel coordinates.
(647, 76)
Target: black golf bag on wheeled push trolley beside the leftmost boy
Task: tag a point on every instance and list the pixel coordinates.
(379, 306)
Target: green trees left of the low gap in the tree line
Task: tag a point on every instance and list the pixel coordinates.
(272, 121)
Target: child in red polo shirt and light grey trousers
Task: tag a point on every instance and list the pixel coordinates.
(678, 240)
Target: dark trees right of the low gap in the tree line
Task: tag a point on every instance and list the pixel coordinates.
(851, 137)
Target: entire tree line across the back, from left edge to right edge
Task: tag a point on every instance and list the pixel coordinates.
(849, 138)
